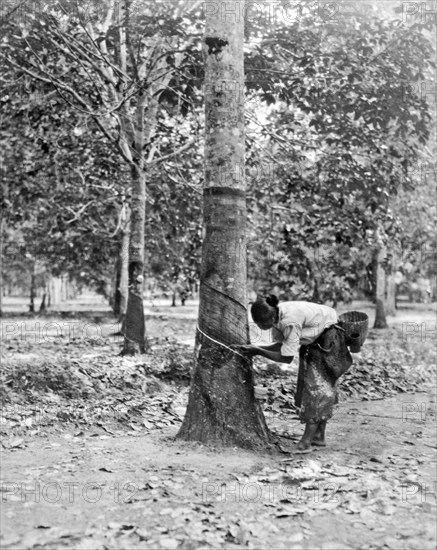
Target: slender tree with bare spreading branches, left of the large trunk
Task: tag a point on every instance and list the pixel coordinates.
(112, 66)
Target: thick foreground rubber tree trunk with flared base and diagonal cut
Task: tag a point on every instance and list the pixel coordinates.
(222, 409)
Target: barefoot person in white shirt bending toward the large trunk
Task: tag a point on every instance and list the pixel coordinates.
(311, 331)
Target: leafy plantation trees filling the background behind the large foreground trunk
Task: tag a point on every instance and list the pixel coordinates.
(102, 149)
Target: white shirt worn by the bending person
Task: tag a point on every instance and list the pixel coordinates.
(300, 323)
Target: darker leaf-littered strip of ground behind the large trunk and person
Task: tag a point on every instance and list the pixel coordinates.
(86, 383)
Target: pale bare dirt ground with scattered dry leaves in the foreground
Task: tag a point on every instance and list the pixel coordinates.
(372, 487)
